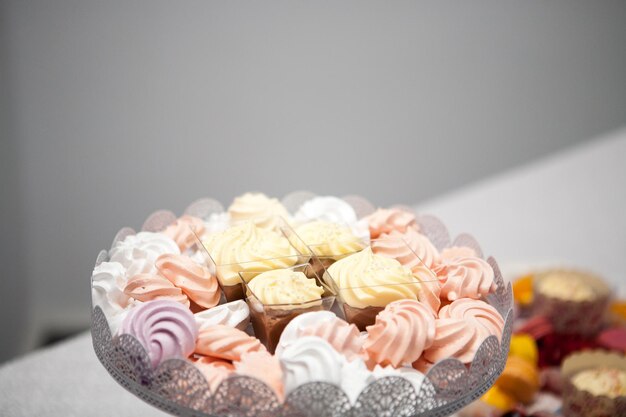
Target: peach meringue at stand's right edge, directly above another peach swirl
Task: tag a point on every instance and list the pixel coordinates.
(465, 277)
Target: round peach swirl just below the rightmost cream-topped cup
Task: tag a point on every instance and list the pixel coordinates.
(403, 330)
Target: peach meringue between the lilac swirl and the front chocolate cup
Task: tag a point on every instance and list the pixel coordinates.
(226, 342)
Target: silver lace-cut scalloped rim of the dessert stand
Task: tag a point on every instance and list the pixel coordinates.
(176, 385)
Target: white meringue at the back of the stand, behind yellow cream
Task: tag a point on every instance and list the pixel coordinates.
(328, 208)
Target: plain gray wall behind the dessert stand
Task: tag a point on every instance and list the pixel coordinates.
(118, 108)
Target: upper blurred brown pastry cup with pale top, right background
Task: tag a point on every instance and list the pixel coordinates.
(574, 301)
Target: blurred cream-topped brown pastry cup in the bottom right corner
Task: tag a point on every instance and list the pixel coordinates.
(594, 384)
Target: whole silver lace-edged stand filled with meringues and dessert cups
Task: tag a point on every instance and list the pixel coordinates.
(305, 306)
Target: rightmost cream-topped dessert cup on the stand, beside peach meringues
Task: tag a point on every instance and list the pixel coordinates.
(366, 282)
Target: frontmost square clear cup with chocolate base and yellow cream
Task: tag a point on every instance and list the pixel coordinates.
(278, 296)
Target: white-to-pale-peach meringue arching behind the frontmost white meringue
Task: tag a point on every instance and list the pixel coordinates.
(344, 337)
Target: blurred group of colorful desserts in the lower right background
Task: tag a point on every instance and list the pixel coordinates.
(567, 351)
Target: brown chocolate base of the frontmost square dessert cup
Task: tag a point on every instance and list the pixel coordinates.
(269, 323)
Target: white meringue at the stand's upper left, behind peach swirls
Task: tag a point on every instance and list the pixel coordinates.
(137, 253)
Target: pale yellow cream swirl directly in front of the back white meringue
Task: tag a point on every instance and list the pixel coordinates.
(328, 239)
